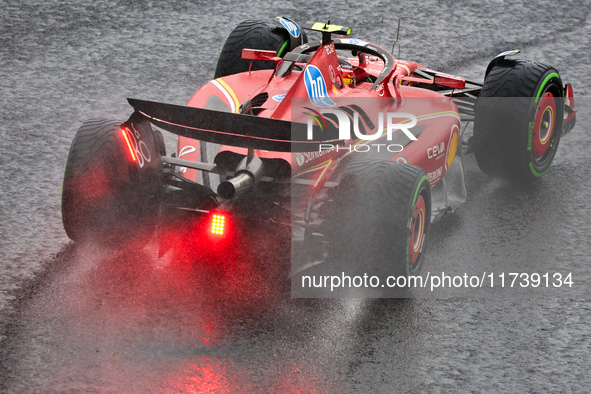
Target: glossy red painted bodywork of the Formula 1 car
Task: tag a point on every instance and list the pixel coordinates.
(433, 151)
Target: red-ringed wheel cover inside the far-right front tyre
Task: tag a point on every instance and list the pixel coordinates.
(543, 129)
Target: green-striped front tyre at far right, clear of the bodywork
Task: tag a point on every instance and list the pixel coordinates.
(518, 121)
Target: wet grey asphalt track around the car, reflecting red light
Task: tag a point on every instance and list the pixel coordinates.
(82, 319)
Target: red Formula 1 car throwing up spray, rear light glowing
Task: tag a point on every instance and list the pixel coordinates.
(337, 145)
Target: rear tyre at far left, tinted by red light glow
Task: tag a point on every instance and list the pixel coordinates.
(107, 197)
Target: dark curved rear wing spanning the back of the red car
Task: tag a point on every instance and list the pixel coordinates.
(246, 131)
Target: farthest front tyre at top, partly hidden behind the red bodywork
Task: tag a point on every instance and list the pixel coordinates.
(280, 35)
